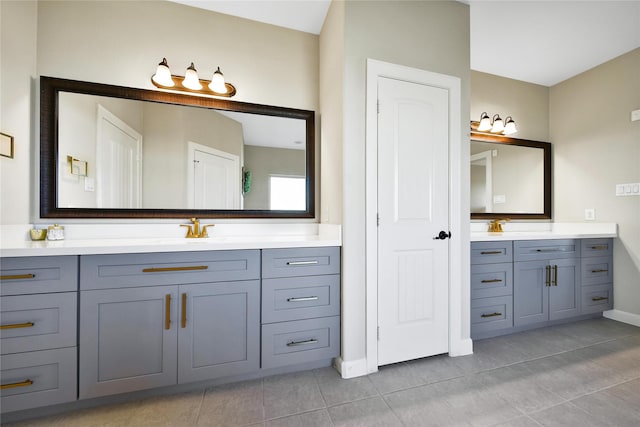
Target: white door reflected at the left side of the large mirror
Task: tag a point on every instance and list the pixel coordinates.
(118, 163)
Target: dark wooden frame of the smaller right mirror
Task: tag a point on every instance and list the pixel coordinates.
(546, 147)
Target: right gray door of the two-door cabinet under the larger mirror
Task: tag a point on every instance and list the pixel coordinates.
(219, 330)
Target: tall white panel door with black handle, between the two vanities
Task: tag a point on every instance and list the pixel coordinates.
(413, 208)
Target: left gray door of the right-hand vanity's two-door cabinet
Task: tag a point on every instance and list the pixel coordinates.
(530, 292)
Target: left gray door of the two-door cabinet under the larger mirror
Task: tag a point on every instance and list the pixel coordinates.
(128, 340)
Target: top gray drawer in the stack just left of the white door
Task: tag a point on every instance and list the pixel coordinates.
(300, 262)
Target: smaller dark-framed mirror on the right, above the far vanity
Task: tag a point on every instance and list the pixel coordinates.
(510, 178)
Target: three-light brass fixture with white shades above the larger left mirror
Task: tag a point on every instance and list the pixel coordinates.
(191, 82)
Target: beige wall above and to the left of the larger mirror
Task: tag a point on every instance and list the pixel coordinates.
(121, 43)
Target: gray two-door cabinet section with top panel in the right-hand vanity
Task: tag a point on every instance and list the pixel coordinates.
(546, 281)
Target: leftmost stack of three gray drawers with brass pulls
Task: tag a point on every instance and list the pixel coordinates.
(38, 335)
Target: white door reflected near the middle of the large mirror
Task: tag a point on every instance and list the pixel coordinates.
(215, 182)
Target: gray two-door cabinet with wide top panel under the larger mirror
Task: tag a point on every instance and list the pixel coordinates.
(150, 320)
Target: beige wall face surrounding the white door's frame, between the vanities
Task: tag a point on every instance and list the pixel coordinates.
(433, 36)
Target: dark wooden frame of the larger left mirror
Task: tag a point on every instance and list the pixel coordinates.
(50, 87)
